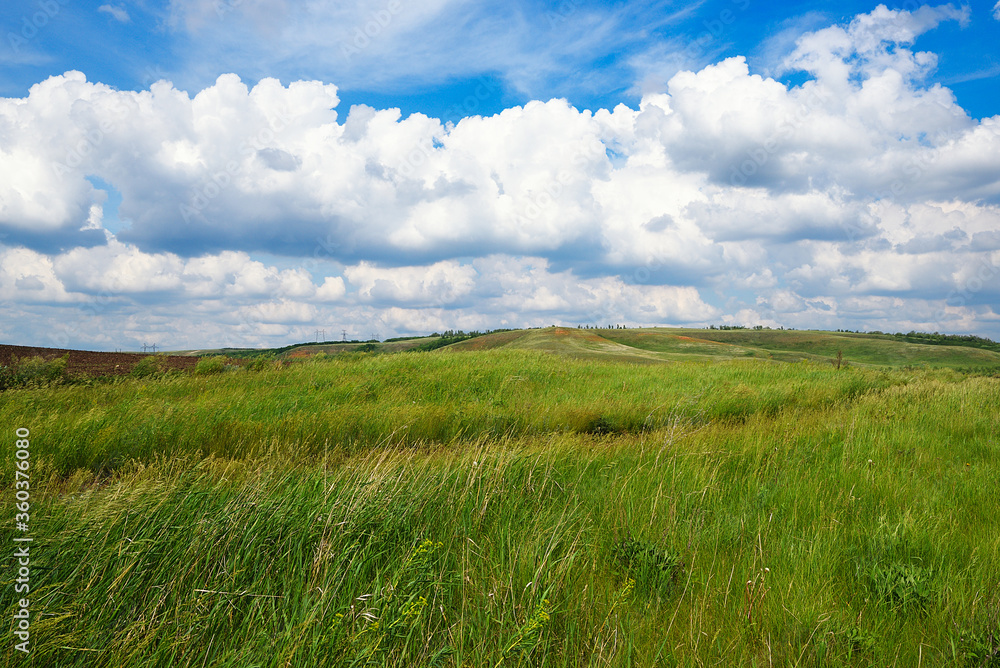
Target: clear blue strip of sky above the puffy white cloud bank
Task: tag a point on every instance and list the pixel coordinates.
(140, 42)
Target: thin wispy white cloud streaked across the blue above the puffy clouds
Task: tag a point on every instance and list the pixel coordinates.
(388, 45)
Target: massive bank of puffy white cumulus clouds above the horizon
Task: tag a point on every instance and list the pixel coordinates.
(725, 194)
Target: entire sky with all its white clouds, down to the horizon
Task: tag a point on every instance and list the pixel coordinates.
(233, 172)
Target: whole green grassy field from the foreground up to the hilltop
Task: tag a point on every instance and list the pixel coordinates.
(503, 505)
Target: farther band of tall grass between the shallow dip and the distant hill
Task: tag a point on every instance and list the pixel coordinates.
(404, 400)
